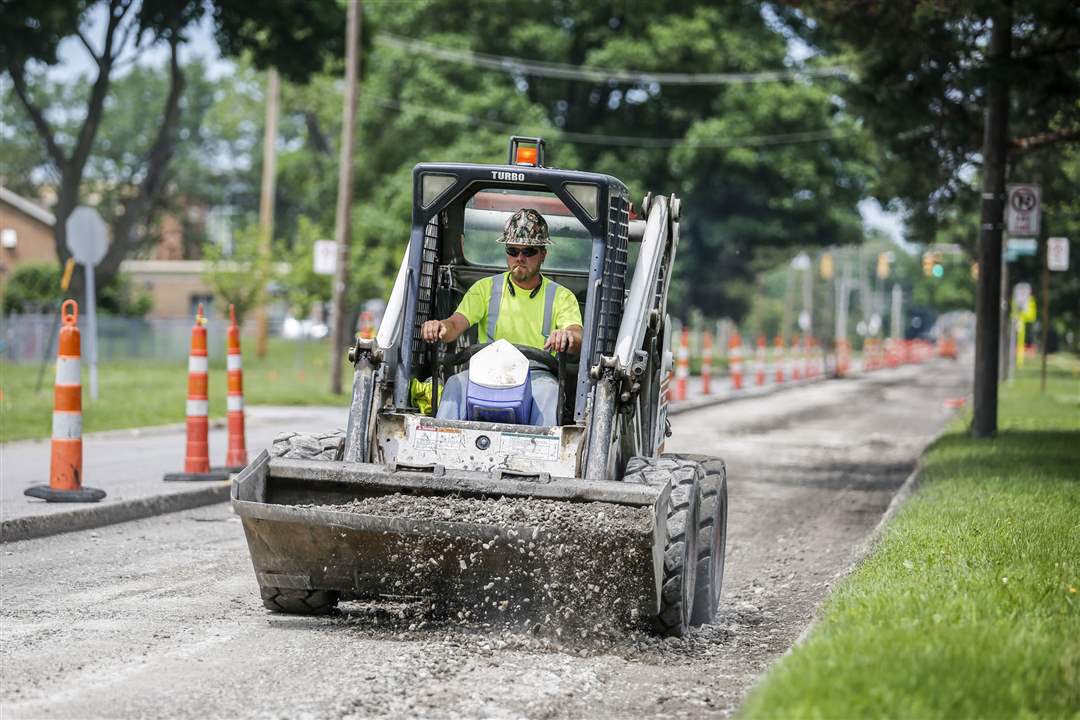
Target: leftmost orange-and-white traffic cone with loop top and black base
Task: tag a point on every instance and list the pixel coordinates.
(65, 472)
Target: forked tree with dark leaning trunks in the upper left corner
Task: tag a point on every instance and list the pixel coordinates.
(274, 33)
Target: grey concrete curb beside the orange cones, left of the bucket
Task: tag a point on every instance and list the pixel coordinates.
(97, 517)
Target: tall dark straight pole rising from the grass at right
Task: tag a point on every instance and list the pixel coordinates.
(989, 295)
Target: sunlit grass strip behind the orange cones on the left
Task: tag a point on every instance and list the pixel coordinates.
(133, 393)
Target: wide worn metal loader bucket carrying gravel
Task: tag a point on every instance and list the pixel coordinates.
(561, 552)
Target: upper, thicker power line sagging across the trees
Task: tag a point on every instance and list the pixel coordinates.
(566, 72)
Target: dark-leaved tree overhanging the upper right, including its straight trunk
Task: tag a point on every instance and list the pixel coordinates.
(989, 83)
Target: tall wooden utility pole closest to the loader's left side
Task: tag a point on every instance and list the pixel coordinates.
(340, 316)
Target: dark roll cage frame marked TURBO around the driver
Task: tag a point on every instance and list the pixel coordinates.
(436, 271)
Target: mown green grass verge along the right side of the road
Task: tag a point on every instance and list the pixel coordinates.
(970, 605)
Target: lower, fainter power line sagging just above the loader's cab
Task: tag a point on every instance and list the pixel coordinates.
(622, 141)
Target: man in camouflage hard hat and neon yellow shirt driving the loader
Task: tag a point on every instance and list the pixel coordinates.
(528, 309)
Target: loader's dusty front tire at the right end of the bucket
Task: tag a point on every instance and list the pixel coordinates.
(681, 548)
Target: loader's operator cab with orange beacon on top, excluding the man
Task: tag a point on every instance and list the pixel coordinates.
(460, 214)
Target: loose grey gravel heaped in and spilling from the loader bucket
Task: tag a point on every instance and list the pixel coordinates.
(544, 567)
